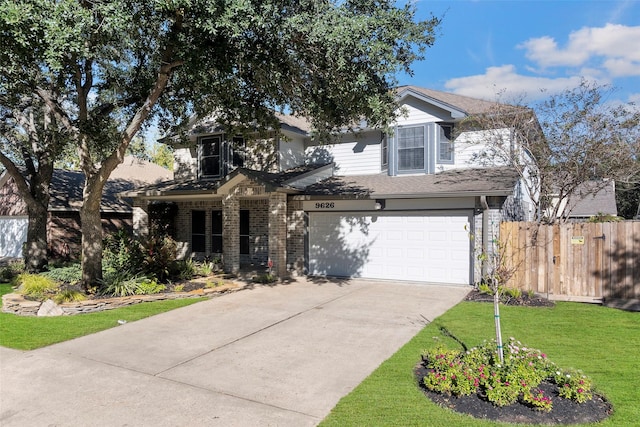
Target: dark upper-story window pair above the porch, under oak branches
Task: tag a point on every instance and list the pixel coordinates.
(217, 156)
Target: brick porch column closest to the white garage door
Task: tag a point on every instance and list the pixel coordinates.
(278, 233)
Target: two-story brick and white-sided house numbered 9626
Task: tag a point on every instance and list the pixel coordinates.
(399, 206)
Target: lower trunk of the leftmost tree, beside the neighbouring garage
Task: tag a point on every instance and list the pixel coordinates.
(35, 249)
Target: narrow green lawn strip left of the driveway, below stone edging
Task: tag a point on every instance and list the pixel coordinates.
(28, 333)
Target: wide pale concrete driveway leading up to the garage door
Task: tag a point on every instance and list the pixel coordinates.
(267, 356)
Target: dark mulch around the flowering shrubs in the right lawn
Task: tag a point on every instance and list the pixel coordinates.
(564, 411)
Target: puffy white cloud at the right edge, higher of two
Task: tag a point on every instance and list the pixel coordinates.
(615, 44)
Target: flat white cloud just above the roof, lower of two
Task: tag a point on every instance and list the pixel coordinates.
(504, 81)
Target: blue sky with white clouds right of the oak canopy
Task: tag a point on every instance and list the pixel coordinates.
(522, 47)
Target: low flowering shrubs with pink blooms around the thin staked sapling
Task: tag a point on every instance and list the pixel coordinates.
(479, 370)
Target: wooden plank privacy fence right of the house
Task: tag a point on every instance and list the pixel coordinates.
(587, 262)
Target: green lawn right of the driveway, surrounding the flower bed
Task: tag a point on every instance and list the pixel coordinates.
(603, 342)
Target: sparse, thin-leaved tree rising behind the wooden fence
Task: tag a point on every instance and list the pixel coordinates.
(563, 142)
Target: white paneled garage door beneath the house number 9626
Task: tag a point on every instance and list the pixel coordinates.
(421, 246)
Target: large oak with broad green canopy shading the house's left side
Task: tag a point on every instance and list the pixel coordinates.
(105, 67)
